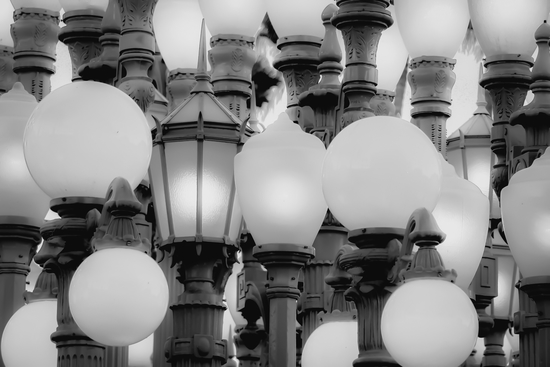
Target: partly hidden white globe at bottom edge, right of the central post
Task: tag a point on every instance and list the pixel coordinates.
(333, 344)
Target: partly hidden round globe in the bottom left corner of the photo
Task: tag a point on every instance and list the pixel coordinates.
(26, 338)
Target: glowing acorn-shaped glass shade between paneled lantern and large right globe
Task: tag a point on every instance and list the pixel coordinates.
(278, 178)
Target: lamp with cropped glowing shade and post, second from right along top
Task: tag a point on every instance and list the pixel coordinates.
(432, 31)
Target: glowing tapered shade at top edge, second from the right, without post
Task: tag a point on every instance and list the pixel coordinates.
(432, 27)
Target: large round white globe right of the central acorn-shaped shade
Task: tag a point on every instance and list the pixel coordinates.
(378, 170)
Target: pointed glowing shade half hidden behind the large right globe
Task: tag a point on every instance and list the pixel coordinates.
(462, 213)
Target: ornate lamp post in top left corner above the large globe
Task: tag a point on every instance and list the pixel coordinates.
(35, 33)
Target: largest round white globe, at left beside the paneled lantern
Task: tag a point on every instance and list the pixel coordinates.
(82, 136)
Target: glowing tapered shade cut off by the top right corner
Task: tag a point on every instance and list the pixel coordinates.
(507, 26)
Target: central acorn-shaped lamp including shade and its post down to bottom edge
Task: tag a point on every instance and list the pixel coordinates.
(278, 178)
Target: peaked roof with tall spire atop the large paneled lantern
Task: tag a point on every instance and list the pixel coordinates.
(202, 115)
